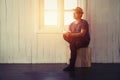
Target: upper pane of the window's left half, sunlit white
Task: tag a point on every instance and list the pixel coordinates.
(50, 4)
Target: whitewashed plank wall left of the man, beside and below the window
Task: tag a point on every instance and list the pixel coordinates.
(18, 41)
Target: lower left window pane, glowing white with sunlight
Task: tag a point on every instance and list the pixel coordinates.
(50, 18)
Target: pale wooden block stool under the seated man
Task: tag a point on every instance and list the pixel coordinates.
(83, 58)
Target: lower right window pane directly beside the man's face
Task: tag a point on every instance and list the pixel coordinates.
(68, 18)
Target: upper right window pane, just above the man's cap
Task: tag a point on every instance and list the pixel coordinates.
(70, 4)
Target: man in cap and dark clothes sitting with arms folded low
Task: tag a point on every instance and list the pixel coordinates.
(77, 36)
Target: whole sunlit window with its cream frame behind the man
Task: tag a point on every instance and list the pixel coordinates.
(53, 16)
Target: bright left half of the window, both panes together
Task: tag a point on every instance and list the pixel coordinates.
(50, 12)
